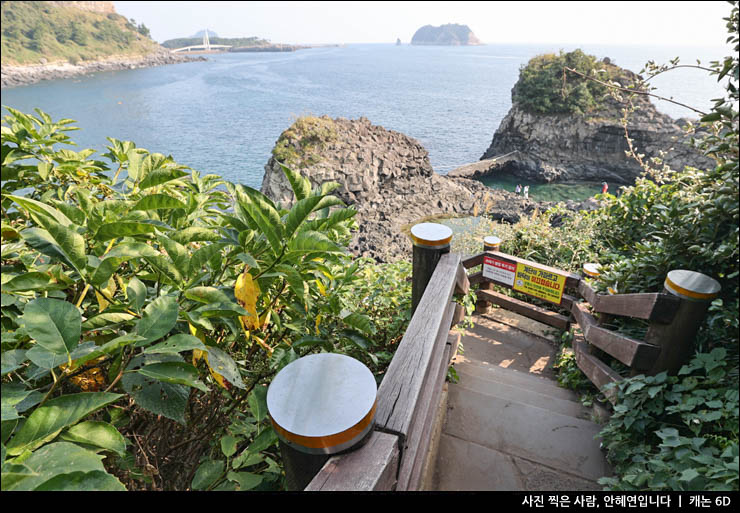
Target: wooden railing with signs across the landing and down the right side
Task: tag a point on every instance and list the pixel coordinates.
(673, 322)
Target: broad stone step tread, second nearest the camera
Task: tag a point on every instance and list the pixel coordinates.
(560, 442)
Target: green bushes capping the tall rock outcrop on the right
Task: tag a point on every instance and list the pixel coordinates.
(542, 89)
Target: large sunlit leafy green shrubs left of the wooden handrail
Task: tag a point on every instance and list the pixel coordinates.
(135, 289)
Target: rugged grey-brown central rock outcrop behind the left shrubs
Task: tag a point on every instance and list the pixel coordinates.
(387, 177)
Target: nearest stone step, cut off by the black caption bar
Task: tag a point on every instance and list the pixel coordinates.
(486, 469)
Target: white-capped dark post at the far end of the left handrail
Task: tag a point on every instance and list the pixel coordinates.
(431, 241)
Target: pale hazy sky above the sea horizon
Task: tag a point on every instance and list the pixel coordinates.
(672, 23)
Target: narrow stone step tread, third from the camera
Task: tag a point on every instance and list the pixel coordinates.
(521, 379)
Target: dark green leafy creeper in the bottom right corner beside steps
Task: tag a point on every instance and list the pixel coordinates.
(676, 432)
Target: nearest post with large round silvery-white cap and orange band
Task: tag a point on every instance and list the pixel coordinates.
(320, 405)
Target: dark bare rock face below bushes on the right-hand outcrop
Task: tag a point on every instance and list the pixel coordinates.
(568, 147)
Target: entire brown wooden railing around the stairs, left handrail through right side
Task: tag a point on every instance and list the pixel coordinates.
(397, 454)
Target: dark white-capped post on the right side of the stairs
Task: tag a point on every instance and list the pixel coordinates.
(696, 291)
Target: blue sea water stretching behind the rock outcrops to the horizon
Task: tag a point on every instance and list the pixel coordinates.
(223, 116)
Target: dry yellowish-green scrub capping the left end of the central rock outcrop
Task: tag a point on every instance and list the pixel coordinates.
(300, 145)
